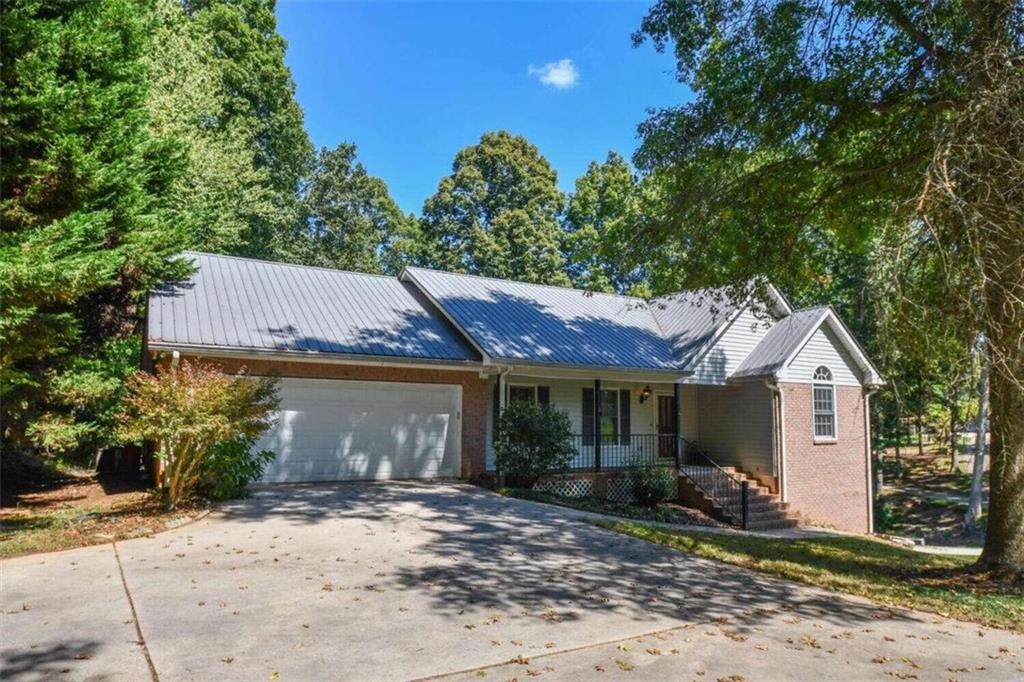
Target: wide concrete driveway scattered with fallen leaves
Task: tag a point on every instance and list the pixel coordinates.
(403, 581)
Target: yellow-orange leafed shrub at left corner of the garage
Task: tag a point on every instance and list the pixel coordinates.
(203, 422)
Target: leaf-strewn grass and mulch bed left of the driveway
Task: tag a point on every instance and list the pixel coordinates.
(90, 523)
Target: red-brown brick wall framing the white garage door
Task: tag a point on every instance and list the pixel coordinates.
(475, 393)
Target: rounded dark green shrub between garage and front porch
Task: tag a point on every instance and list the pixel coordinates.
(533, 440)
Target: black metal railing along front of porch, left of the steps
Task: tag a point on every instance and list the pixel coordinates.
(609, 453)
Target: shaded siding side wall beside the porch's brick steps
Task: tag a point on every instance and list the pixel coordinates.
(735, 425)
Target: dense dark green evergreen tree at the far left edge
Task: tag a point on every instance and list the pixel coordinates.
(86, 211)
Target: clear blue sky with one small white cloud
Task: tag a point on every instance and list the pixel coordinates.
(413, 83)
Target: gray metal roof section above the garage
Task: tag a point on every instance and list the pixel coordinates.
(240, 304)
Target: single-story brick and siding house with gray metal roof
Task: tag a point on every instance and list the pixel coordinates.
(403, 377)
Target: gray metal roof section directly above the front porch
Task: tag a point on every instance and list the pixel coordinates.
(549, 325)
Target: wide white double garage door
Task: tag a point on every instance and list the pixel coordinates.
(359, 431)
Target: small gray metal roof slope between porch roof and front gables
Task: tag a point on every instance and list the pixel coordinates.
(692, 320)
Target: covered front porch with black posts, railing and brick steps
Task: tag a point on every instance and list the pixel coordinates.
(718, 440)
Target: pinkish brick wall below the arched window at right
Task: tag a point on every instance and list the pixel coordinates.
(827, 482)
